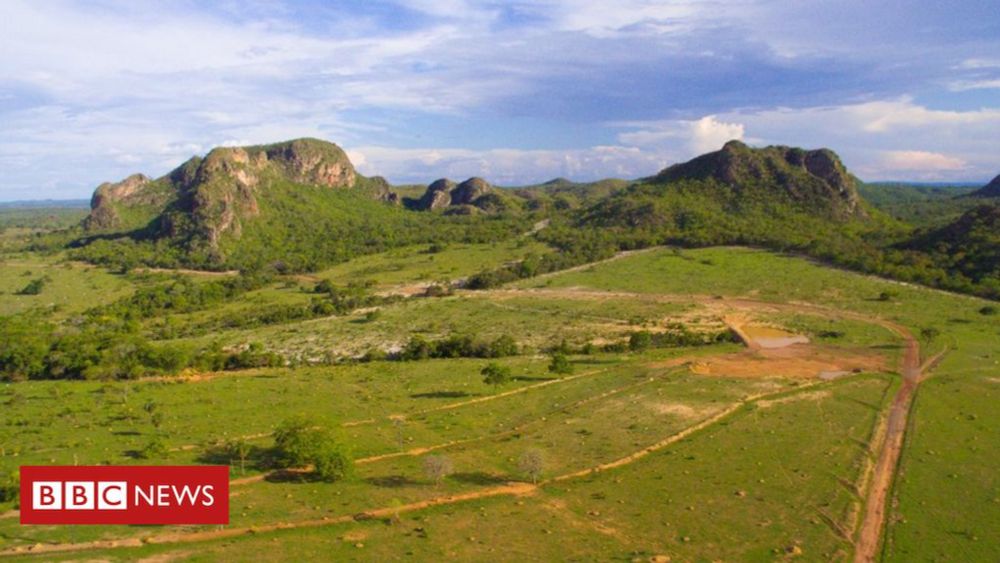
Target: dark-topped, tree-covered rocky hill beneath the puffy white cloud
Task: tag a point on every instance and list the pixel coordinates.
(780, 196)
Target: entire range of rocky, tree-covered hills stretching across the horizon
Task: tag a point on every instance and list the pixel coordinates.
(299, 206)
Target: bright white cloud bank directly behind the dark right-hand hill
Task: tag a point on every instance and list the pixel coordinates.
(888, 139)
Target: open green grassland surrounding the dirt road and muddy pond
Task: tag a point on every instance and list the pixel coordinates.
(710, 467)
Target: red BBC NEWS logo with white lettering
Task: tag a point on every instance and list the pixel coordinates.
(125, 494)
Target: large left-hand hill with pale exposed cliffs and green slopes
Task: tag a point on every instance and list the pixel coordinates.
(291, 206)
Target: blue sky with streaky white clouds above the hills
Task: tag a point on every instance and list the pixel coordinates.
(516, 92)
